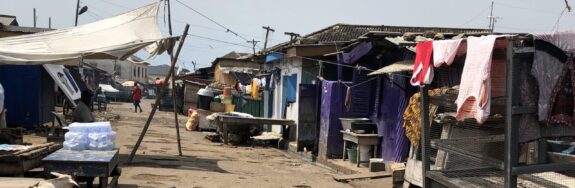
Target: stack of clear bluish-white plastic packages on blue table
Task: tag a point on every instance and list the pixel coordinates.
(90, 136)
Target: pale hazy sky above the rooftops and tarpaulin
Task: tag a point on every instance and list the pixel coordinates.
(246, 18)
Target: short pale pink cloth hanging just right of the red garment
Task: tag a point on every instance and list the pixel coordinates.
(444, 51)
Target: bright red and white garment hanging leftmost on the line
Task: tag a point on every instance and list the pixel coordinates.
(422, 70)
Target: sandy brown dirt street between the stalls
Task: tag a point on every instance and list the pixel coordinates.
(204, 164)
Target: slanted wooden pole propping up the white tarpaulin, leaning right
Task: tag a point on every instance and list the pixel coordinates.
(158, 97)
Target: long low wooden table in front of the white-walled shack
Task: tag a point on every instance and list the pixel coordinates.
(225, 121)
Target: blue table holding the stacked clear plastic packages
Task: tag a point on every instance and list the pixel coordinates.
(85, 163)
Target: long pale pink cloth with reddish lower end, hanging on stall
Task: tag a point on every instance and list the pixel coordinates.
(474, 99)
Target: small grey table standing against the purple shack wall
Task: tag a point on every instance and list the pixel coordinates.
(360, 139)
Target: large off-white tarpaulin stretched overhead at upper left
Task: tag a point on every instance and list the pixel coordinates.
(112, 38)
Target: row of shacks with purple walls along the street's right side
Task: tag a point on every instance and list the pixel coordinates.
(365, 71)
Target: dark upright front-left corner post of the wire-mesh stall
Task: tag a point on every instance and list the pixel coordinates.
(425, 143)
